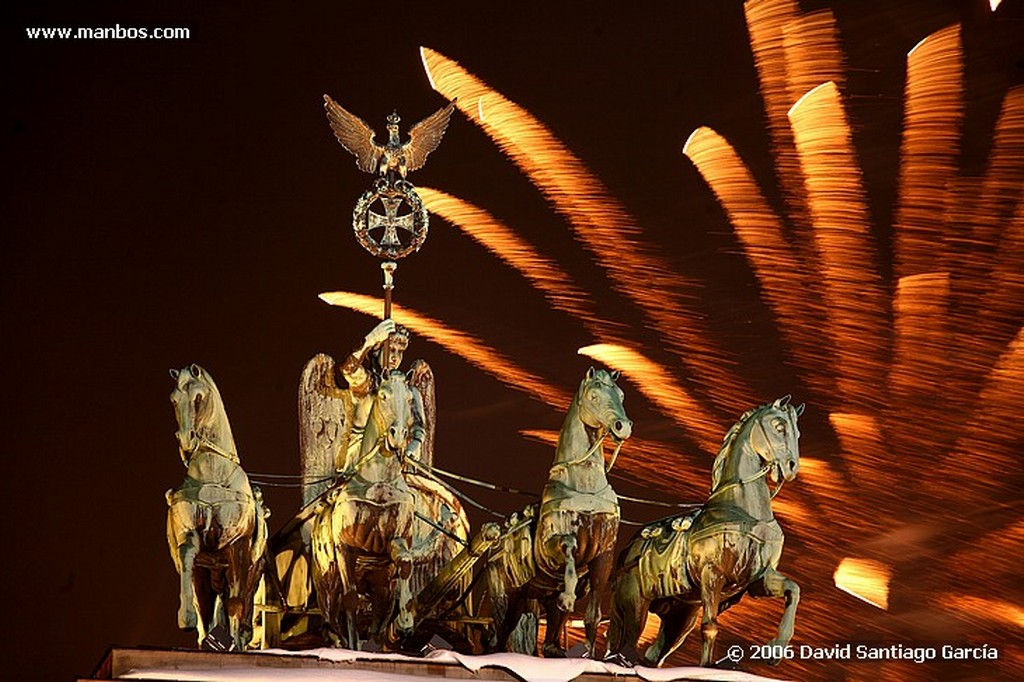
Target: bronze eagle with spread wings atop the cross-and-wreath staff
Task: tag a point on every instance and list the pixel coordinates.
(396, 156)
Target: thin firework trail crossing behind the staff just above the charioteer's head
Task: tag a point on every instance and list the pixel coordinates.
(458, 344)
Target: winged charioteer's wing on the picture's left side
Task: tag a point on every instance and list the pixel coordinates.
(325, 427)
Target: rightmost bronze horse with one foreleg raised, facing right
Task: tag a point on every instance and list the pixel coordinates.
(684, 566)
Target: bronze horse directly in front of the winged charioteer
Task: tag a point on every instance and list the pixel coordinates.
(363, 532)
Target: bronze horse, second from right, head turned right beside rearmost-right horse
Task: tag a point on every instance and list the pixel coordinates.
(572, 536)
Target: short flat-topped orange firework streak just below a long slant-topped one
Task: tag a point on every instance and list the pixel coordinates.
(919, 420)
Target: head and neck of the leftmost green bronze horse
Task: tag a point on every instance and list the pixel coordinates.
(200, 413)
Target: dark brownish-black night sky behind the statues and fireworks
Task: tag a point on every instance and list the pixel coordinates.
(175, 202)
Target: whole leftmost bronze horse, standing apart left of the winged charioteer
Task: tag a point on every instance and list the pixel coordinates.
(217, 522)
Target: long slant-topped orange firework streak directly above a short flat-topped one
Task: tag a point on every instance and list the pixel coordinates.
(933, 113)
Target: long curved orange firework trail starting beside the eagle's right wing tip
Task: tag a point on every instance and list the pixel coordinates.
(600, 223)
